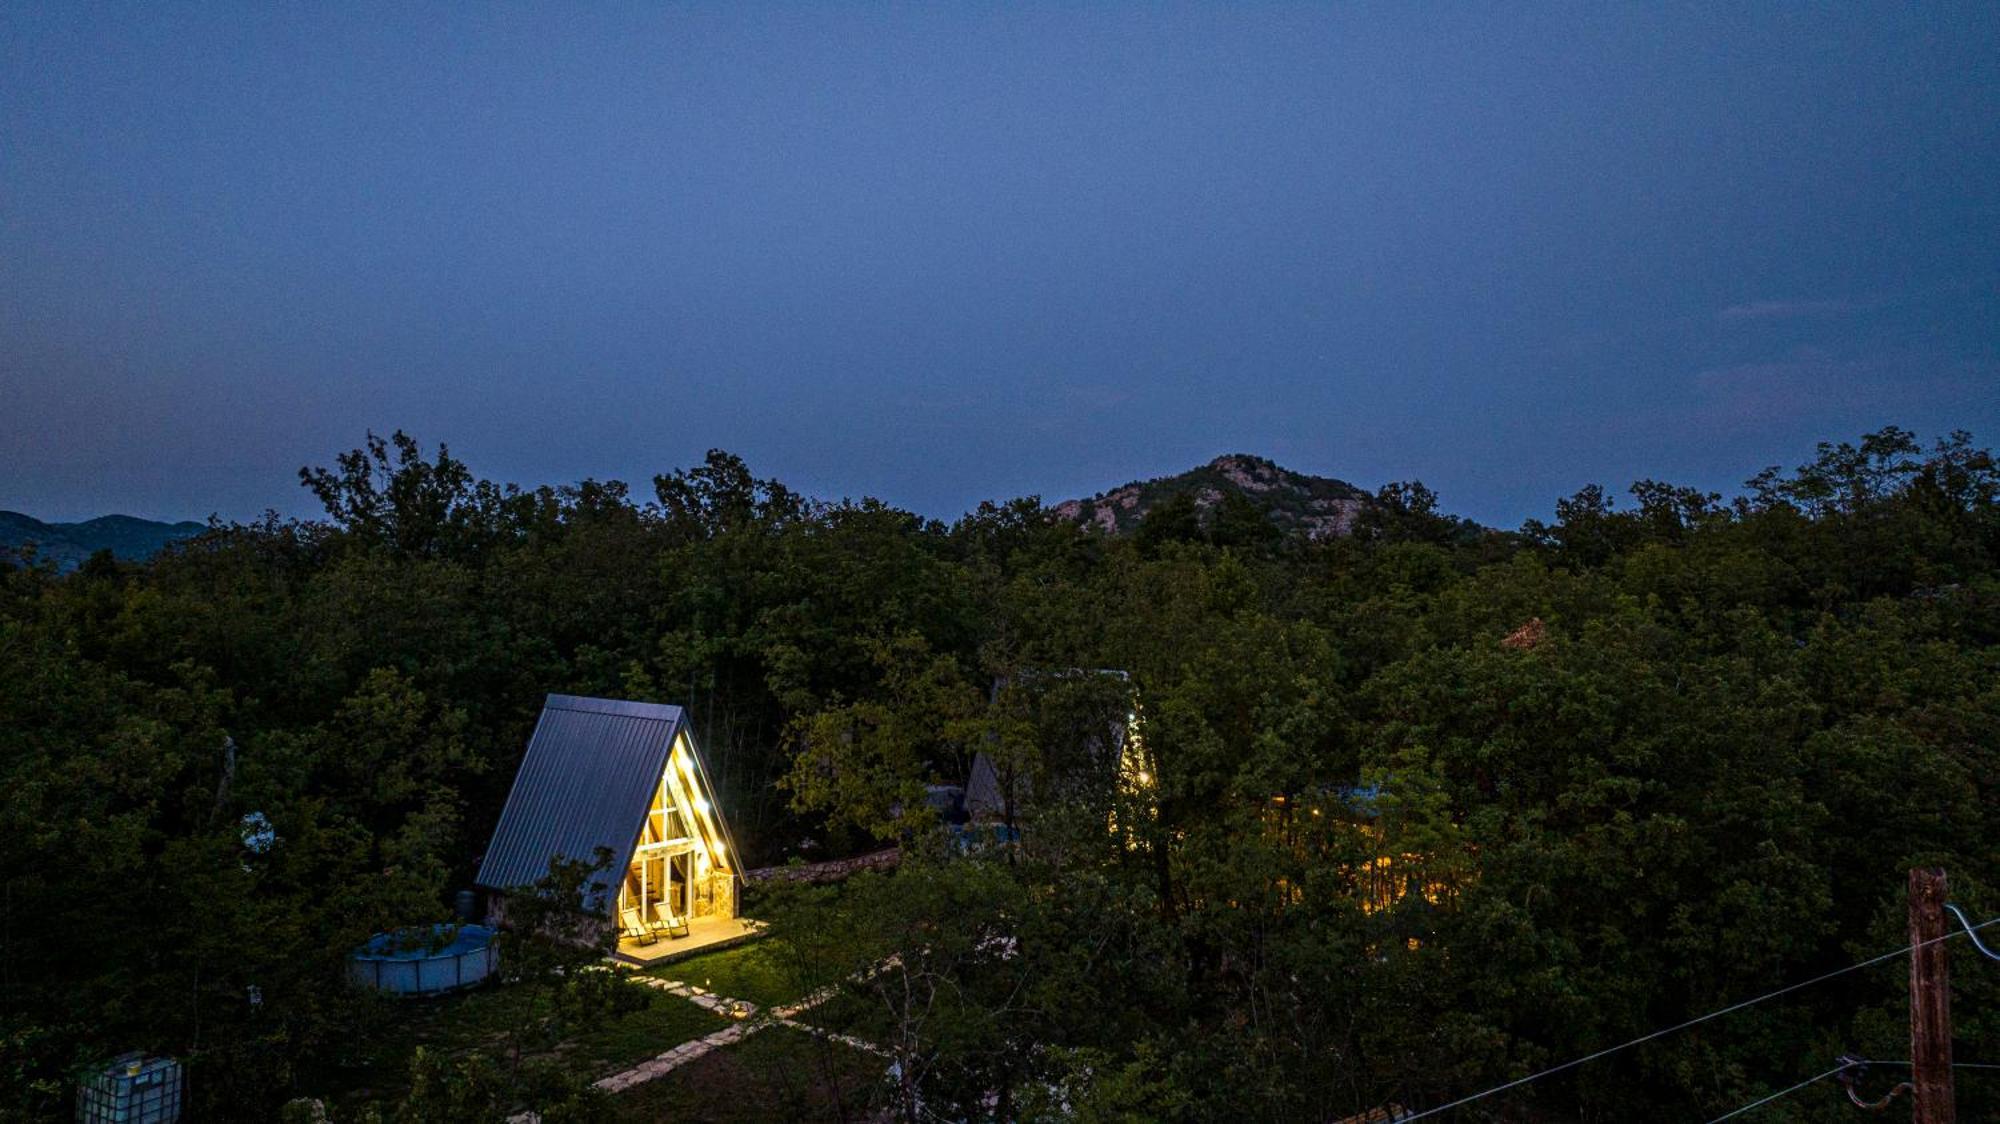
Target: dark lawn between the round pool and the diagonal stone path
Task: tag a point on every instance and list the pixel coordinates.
(485, 1021)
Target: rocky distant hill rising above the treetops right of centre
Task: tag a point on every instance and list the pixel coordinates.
(1315, 507)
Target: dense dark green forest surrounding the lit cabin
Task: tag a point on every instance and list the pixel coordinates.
(1429, 805)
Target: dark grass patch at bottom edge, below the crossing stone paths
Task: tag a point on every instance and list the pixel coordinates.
(775, 1075)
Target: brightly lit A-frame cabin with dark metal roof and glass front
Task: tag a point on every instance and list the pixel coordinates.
(623, 777)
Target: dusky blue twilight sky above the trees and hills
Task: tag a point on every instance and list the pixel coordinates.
(957, 253)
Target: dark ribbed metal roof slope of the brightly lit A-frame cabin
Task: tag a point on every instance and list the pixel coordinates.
(587, 783)
